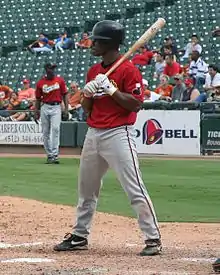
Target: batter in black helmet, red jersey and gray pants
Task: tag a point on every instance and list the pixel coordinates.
(112, 104)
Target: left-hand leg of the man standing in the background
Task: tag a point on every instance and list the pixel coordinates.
(45, 123)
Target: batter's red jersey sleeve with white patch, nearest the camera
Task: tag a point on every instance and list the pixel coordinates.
(133, 83)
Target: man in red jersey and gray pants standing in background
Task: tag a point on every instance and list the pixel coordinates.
(51, 90)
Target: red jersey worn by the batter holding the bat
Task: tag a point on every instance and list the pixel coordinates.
(106, 113)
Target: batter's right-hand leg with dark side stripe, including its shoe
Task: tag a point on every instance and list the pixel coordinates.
(120, 152)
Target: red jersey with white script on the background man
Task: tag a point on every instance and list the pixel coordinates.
(51, 90)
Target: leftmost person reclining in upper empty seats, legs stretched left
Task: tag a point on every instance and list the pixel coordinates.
(43, 44)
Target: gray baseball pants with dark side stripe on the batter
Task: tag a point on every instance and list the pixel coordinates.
(112, 148)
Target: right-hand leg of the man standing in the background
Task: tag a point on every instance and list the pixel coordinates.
(55, 132)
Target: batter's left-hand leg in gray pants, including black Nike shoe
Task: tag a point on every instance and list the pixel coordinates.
(92, 169)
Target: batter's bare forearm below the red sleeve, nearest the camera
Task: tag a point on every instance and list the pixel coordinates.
(127, 101)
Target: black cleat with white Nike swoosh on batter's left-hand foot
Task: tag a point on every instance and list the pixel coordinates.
(72, 242)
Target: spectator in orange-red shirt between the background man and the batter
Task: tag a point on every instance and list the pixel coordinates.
(74, 100)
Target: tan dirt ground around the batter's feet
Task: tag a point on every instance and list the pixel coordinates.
(113, 245)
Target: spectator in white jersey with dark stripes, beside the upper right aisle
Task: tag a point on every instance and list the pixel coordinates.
(198, 70)
